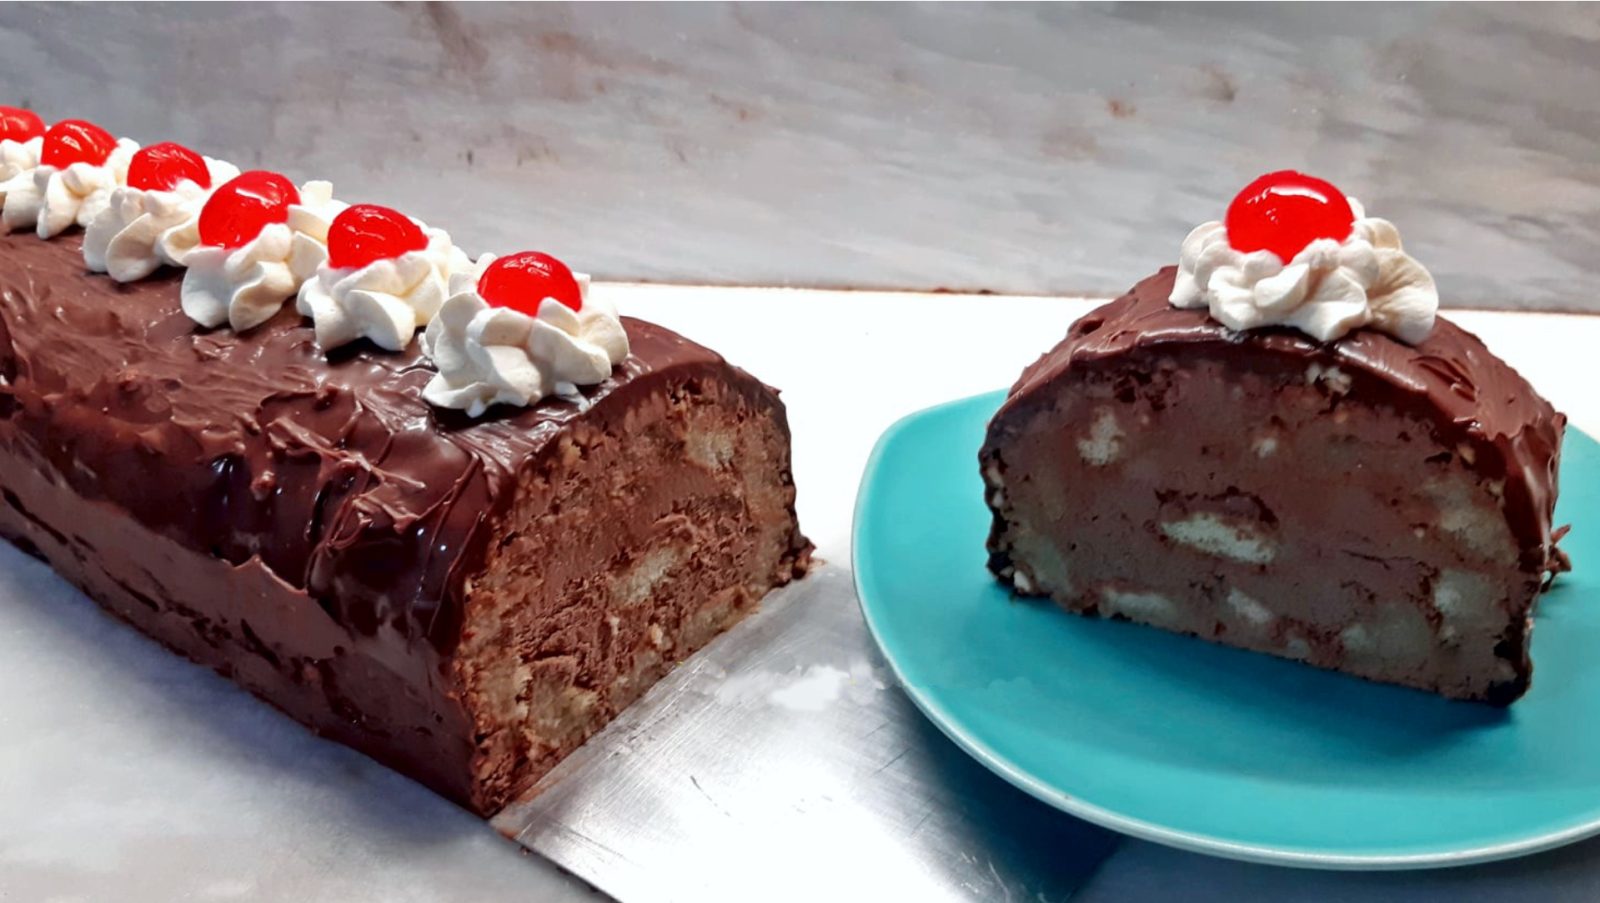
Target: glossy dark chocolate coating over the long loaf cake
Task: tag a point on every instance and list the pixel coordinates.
(308, 528)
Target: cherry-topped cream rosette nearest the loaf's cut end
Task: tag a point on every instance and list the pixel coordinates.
(524, 331)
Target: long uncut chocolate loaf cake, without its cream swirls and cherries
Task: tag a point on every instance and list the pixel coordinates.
(462, 600)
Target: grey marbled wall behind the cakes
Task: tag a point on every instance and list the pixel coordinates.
(1009, 148)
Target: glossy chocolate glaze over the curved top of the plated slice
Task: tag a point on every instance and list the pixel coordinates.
(1450, 380)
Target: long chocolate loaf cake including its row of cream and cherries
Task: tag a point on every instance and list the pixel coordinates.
(462, 556)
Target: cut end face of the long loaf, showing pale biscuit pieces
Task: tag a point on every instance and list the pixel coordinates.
(630, 547)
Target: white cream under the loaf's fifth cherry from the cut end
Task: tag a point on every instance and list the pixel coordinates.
(54, 199)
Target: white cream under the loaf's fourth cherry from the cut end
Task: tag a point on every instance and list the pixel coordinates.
(143, 230)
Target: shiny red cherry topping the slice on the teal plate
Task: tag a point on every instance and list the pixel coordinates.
(1284, 212)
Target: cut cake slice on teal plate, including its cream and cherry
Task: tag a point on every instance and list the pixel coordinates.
(1292, 459)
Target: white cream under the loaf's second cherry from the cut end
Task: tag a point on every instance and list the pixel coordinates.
(386, 300)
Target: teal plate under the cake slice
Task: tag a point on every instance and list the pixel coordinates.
(1210, 748)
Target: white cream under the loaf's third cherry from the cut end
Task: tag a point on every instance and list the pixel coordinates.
(244, 287)
